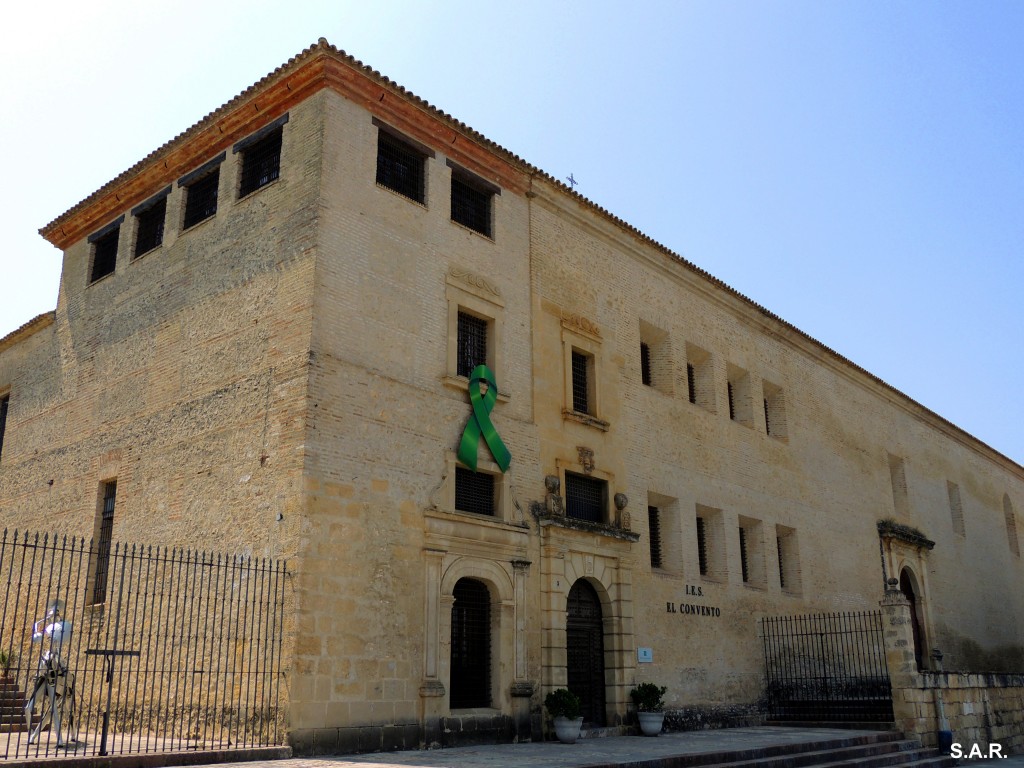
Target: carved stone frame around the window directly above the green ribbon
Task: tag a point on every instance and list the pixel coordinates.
(482, 301)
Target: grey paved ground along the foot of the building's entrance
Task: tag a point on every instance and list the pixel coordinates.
(611, 751)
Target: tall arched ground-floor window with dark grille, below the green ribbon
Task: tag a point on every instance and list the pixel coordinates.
(471, 685)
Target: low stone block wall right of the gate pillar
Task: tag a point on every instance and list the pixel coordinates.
(980, 709)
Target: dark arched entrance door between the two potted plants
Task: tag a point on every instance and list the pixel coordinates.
(585, 651)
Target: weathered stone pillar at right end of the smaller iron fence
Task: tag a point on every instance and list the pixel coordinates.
(899, 638)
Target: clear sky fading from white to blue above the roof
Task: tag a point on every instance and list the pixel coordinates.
(856, 167)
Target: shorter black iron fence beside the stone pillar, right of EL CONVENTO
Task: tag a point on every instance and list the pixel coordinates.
(827, 667)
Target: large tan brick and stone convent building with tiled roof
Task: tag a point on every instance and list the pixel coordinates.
(265, 338)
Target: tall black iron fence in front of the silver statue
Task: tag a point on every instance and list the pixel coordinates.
(125, 649)
